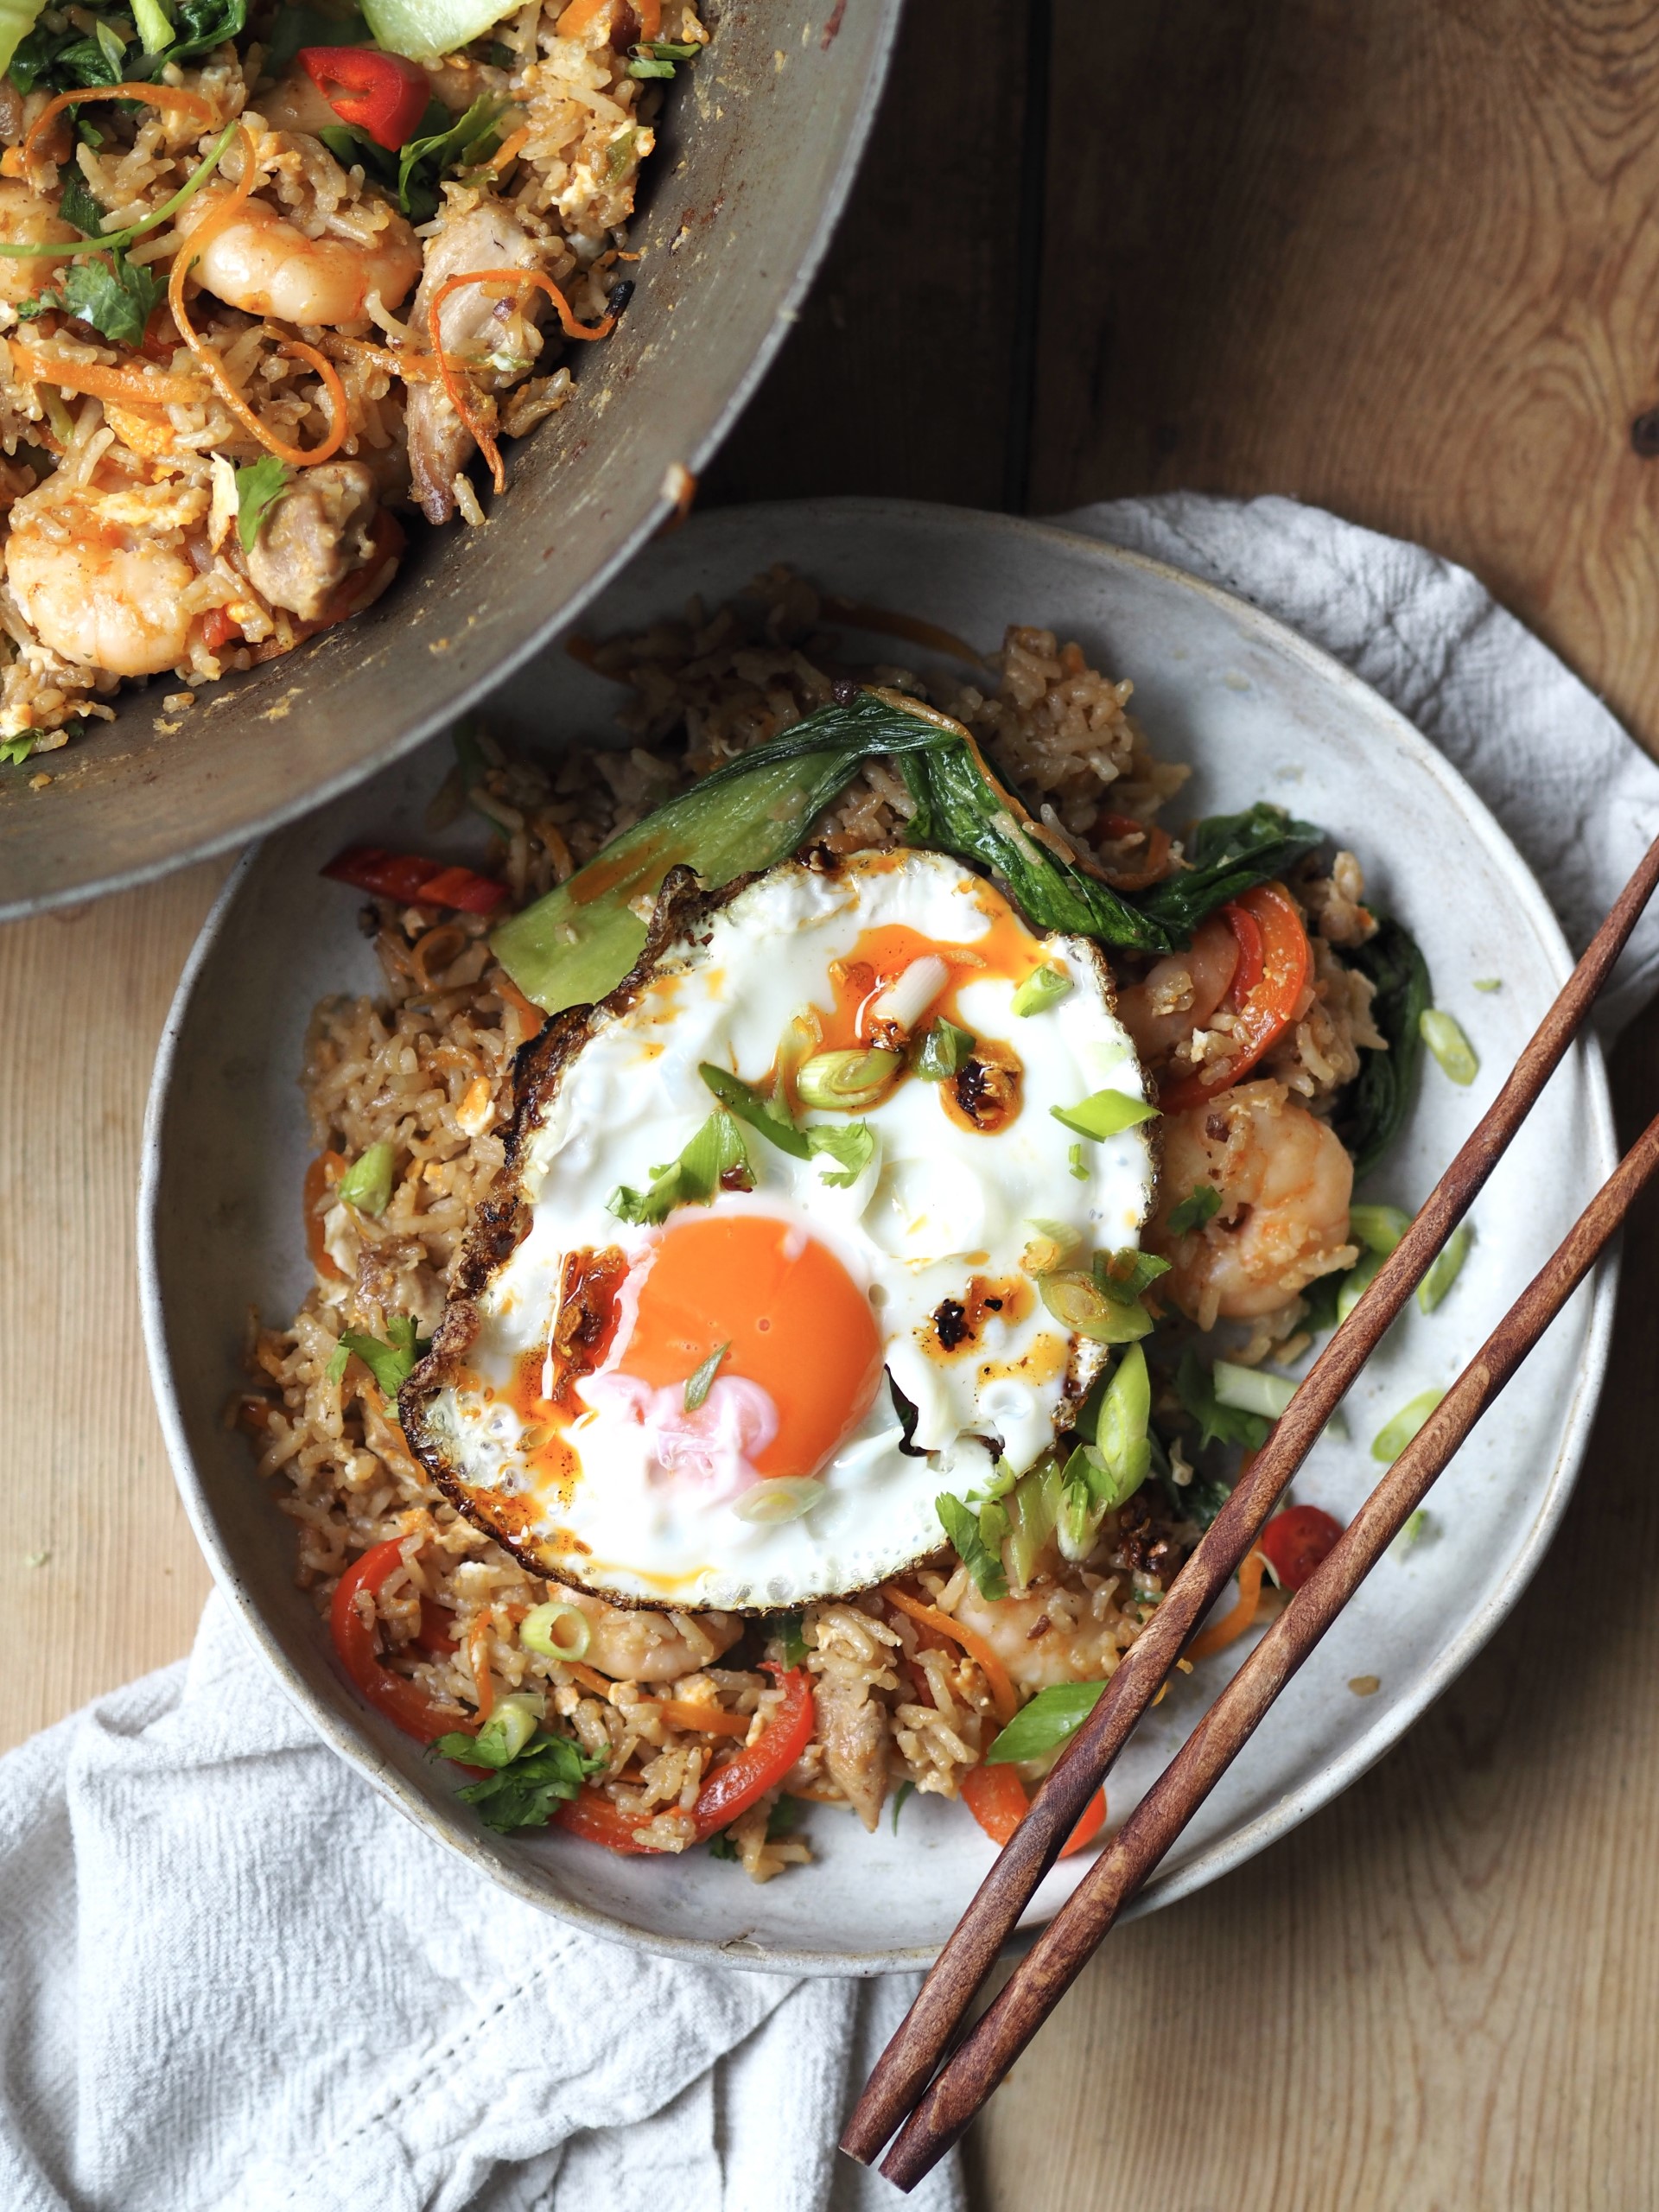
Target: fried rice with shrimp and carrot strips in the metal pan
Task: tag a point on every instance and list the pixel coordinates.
(136, 534)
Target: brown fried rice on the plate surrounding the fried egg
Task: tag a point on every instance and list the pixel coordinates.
(912, 1680)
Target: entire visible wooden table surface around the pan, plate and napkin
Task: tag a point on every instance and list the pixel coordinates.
(1384, 255)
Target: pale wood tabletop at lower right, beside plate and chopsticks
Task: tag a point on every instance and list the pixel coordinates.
(1441, 1992)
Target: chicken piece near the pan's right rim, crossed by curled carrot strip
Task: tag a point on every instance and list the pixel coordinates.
(499, 340)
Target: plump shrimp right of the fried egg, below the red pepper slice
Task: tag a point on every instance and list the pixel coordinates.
(1284, 1182)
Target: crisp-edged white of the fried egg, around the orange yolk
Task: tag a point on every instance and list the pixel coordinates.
(937, 1207)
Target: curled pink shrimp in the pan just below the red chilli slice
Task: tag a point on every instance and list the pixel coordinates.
(264, 264)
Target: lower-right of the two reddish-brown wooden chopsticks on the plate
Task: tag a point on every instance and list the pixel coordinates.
(1083, 1921)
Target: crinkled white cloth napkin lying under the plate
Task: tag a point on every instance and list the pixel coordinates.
(231, 1976)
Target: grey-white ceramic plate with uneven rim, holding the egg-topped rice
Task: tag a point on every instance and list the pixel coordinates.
(1258, 713)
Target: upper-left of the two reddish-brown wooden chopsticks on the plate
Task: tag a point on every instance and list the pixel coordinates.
(912, 2056)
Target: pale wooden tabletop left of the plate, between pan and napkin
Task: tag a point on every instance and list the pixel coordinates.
(101, 1576)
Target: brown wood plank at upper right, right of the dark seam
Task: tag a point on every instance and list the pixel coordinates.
(1397, 260)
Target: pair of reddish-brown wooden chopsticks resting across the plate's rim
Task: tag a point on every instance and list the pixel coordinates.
(937, 2107)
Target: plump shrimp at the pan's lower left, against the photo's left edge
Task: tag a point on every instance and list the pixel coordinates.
(98, 585)
